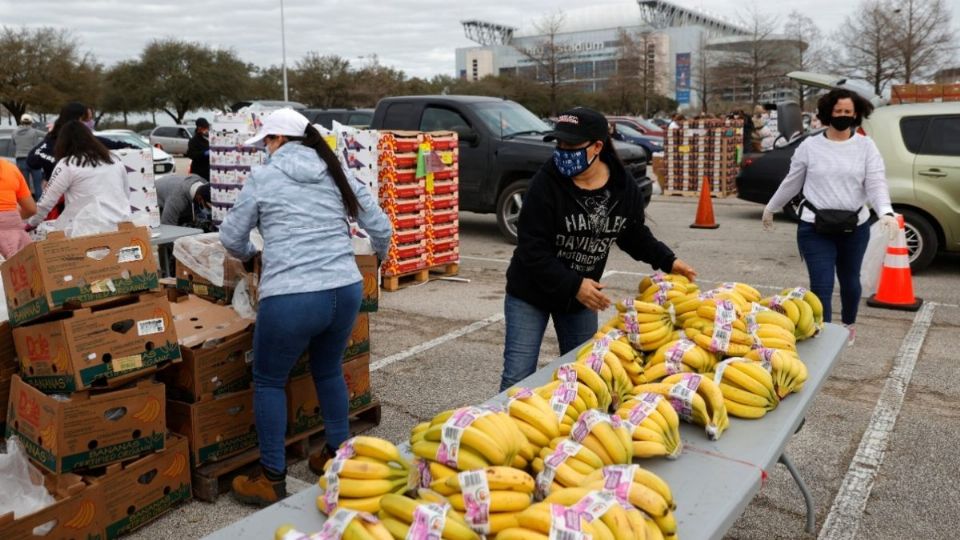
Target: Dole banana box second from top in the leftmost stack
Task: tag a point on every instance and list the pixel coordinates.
(98, 347)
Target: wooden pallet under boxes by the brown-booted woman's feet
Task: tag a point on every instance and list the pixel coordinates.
(212, 479)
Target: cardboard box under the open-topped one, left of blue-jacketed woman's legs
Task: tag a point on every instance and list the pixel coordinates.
(216, 428)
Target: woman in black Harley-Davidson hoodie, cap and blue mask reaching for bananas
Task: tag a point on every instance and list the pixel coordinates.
(578, 204)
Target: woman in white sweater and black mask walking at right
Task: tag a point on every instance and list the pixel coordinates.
(836, 170)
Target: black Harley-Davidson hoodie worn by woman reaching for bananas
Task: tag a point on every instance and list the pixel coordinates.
(556, 248)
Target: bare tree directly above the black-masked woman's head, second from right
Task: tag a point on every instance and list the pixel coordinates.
(869, 47)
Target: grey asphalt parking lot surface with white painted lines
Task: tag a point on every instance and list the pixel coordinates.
(438, 345)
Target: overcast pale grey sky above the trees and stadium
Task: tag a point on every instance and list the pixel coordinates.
(417, 36)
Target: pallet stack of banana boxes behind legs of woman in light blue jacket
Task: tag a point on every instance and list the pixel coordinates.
(210, 393)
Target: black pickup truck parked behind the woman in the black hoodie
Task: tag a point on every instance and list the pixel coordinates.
(501, 148)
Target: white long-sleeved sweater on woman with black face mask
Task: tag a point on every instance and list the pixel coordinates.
(836, 175)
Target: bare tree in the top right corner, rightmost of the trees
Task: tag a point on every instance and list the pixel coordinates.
(922, 35)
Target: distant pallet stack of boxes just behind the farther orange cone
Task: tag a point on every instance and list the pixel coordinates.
(699, 151)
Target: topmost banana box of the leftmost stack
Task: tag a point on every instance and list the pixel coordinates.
(45, 276)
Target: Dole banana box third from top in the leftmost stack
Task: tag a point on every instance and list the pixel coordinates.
(87, 430)
